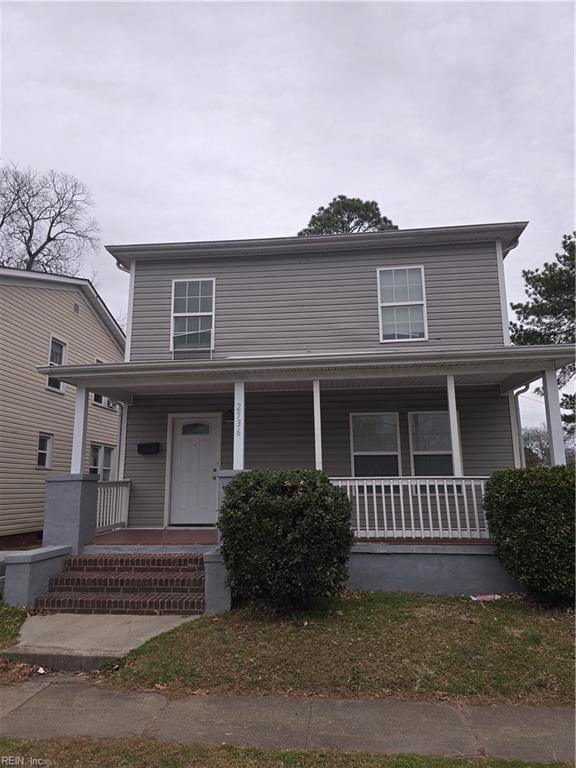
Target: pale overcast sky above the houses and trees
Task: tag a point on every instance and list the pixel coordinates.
(193, 121)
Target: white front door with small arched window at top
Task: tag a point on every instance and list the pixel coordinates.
(195, 461)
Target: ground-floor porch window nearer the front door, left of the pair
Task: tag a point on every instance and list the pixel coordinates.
(375, 444)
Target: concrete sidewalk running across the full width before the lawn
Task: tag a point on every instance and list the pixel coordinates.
(68, 708)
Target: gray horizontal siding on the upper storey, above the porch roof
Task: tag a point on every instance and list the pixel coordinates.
(322, 303)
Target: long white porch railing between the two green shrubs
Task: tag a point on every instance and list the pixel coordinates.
(416, 507)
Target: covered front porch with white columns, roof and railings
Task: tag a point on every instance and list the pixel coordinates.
(410, 438)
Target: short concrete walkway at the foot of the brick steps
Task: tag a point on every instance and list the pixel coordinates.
(80, 643)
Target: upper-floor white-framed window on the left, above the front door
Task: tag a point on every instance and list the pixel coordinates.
(193, 315)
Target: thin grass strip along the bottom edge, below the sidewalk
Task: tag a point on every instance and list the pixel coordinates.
(144, 753)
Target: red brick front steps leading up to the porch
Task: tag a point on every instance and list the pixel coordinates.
(156, 584)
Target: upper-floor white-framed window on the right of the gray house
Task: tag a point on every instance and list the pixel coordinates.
(402, 304)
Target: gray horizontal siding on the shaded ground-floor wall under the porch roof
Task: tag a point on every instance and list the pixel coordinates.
(280, 433)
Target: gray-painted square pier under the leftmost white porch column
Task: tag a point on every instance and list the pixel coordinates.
(70, 511)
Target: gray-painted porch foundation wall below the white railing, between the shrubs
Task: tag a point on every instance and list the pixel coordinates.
(437, 569)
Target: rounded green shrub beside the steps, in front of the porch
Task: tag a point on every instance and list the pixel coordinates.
(286, 536)
